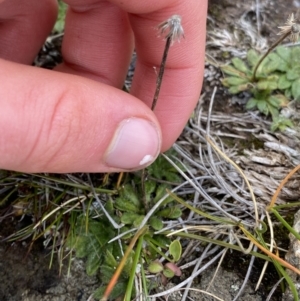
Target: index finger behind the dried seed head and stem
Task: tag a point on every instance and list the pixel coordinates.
(183, 75)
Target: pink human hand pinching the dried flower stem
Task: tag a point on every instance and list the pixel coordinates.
(76, 119)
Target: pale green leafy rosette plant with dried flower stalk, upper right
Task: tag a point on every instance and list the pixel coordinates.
(271, 79)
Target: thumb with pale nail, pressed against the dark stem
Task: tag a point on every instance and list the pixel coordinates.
(55, 122)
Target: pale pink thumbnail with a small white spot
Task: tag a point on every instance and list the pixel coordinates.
(135, 145)
